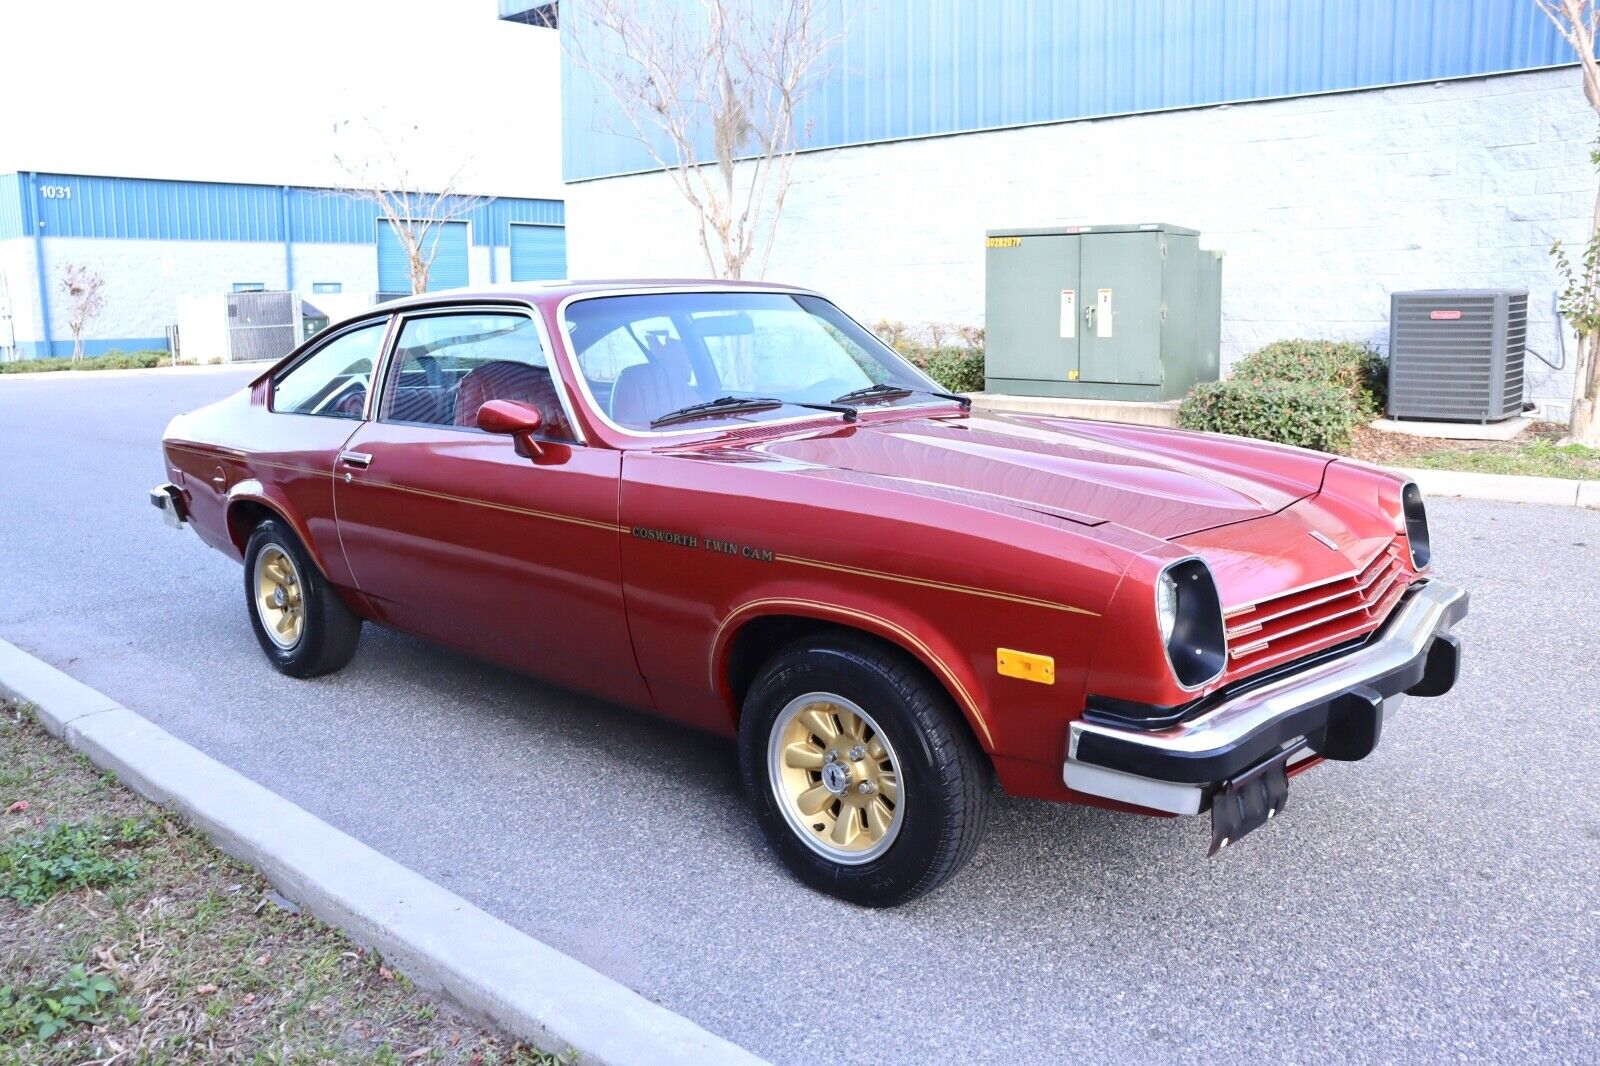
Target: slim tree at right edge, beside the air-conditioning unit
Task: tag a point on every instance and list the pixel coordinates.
(1578, 22)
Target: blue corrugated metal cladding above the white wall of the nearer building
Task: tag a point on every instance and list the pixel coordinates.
(921, 68)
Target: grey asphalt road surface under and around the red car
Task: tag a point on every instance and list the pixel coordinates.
(1441, 899)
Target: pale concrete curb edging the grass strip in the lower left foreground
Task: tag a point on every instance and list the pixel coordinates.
(434, 937)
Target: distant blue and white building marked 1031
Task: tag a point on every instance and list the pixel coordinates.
(154, 241)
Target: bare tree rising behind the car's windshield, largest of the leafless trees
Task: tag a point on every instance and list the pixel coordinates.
(711, 94)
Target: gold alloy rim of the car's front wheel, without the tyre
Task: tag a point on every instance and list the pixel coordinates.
(836, 779)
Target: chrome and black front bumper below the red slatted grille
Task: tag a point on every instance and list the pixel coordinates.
(1337, 707)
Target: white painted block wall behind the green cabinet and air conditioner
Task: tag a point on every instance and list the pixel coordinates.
(1322, 206)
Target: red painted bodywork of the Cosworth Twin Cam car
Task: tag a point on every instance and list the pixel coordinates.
(636, 564)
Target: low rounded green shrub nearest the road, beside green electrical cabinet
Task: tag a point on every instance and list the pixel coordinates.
(1300, 414)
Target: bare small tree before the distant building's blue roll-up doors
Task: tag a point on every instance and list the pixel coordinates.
(380, 175)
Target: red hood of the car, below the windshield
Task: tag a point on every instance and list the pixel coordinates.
(1161, 483)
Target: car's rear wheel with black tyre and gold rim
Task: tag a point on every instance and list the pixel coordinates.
(300, 620)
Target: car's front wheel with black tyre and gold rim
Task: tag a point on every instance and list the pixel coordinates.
(863, 774)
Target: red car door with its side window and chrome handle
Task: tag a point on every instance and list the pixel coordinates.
(457, 537)
